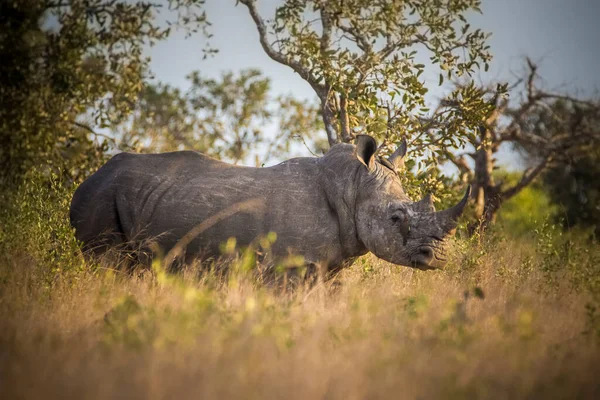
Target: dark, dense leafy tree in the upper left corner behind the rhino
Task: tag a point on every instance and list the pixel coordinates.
(70, 67)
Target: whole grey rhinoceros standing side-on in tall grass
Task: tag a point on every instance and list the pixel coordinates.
(329, 210)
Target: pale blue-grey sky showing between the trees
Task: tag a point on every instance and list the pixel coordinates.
(561, 36)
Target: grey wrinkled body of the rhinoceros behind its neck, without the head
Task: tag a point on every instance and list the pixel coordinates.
(164, 196)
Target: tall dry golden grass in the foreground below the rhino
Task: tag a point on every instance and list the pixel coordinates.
(379, 331)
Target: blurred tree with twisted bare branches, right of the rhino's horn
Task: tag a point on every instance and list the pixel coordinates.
(548, 128)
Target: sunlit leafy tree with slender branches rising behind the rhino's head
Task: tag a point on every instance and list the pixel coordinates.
(360, 58)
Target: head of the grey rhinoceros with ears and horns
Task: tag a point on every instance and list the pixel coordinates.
(392, 226)
